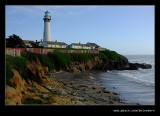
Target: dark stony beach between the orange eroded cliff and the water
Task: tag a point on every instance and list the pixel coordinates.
(81, 90)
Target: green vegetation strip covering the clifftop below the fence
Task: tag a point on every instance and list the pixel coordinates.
(53, 61)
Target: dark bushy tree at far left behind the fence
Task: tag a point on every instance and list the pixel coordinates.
(14, 41)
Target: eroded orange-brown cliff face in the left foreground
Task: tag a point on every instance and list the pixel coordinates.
(21, 88)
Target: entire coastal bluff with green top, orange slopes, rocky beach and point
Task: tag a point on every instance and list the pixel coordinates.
(28, 79)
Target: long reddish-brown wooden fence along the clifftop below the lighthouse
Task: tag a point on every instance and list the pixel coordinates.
(16, 51)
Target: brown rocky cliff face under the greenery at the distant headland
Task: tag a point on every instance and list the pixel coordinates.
(98, 64)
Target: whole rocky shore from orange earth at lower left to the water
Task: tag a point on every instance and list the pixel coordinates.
(61, 90)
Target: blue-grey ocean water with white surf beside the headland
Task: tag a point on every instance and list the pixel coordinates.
(134, 86)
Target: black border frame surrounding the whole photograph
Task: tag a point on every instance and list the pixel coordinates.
(71, 109)
